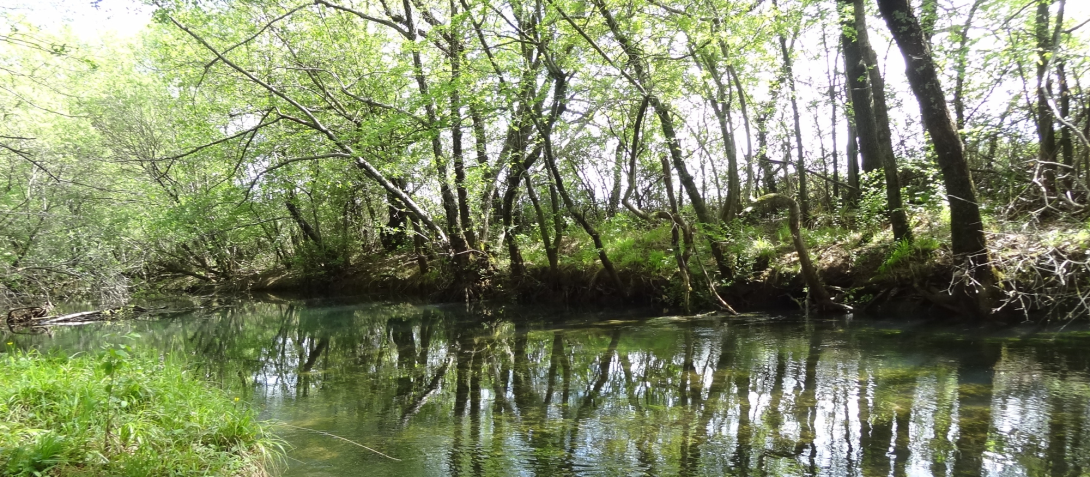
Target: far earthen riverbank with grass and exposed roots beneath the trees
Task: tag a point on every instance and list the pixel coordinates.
(1046, 273)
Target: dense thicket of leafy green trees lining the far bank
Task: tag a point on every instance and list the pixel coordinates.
(486, 142)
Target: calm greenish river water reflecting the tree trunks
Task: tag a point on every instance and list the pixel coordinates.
(513, 392)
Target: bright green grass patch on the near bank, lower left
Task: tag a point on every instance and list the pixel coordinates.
(123, 413)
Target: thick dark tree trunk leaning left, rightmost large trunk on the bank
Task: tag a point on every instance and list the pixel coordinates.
(967, 229)
